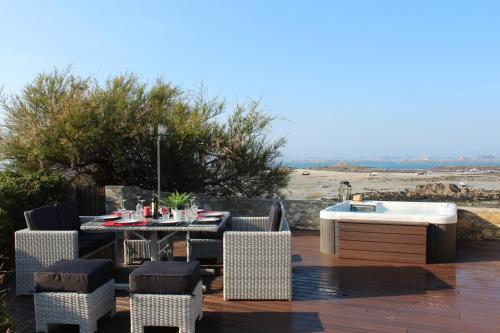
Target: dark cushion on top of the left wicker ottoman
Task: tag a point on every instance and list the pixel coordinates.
(77, 275)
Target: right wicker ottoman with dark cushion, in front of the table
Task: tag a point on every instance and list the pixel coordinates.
(166, 293)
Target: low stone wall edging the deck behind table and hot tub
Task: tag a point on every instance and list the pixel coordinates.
(474, 223)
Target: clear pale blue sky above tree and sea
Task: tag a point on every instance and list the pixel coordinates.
(349, 78)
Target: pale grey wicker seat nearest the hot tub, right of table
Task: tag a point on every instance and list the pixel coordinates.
(257, 263)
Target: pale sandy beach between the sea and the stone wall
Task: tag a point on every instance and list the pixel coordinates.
(325, 183)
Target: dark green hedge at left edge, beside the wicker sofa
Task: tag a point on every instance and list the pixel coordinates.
(21, 191)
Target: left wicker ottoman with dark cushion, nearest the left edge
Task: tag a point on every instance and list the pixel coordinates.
(78, 292)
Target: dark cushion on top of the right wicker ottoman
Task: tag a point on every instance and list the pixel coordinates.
(165, 277)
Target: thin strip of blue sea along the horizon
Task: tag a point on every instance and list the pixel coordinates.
(395, 165)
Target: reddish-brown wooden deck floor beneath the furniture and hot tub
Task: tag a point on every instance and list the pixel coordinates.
(342, 295)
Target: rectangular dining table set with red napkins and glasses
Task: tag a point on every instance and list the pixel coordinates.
(152, 227)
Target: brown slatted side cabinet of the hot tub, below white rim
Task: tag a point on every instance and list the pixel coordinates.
(391, 241)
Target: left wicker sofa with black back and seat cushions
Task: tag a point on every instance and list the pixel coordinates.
(54, 234)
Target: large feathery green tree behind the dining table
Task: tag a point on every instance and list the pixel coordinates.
(100, 133)
